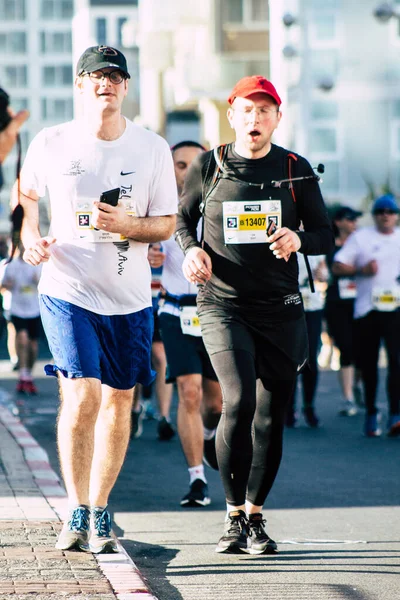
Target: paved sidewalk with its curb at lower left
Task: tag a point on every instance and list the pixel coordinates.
(32, 504)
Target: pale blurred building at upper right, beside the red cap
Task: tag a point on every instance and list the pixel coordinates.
(339, 71)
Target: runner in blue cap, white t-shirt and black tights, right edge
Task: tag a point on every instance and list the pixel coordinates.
(372, 254)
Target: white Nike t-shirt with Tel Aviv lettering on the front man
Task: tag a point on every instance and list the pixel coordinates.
(95, 270)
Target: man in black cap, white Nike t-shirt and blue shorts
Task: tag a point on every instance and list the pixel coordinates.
(95, 291)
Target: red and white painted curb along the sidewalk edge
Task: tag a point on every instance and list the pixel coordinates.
(125, 578)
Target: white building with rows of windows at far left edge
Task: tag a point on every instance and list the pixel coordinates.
(35, 70)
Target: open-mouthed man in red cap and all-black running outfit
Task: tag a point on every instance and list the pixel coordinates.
(250, 309)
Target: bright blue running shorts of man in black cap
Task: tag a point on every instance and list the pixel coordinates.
(115, 349)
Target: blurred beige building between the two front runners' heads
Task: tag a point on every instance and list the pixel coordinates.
(191, 55)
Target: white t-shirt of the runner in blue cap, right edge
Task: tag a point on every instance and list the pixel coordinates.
(360, 248)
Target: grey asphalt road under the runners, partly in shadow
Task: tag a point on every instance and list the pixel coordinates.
(334, 510)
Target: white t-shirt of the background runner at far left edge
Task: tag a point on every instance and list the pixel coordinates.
(21, 280)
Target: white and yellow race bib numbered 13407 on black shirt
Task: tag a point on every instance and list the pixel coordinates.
(247, 222)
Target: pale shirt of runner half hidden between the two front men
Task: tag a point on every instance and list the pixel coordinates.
(173, 279)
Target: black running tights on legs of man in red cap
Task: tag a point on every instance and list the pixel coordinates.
(250, 432)
